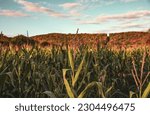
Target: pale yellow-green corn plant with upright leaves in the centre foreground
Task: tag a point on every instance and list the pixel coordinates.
(74, 78)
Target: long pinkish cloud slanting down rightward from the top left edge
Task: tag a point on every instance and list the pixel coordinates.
(35, 7)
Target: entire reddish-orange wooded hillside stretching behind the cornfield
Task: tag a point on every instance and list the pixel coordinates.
(115, 39)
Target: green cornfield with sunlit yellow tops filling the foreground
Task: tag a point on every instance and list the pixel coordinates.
(63, 72)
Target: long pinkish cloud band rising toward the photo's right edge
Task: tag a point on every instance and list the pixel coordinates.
(118, 17)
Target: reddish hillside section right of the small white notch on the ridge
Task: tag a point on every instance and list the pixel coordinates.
(130, 39)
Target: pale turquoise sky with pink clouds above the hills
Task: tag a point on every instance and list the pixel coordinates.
(65, 16)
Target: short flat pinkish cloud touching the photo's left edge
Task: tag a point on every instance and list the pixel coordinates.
(12, 13)
